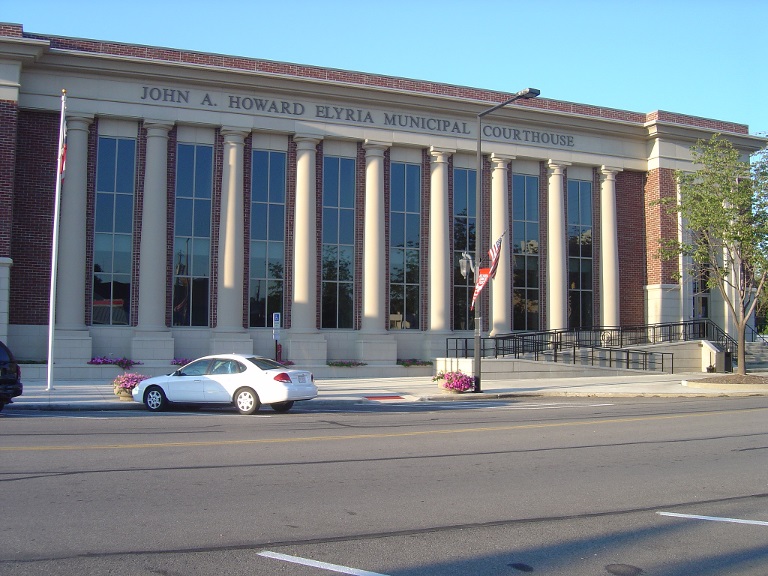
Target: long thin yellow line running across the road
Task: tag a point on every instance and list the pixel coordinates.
(411, 434)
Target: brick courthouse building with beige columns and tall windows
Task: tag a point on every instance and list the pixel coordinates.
(204, 196)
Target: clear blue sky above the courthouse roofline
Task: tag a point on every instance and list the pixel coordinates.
(700, 57)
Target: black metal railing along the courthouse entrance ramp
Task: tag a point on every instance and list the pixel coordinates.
(598, 346)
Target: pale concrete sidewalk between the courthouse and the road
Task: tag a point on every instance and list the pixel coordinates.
(98, 395)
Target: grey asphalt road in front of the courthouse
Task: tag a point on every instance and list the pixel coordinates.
(577, 486)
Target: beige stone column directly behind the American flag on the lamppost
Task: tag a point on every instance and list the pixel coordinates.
(501, 285)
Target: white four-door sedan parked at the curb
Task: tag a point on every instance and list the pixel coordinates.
(247, 382)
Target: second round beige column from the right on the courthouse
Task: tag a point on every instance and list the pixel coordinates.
(557, 255)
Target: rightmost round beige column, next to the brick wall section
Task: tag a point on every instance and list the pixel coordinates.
(609, 249)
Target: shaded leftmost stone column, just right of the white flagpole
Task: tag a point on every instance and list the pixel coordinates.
(73, 342)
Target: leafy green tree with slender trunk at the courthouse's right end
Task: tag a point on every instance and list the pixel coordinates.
(724, 207)
